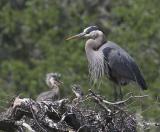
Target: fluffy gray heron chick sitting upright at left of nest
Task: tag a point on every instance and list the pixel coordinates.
(53, 82)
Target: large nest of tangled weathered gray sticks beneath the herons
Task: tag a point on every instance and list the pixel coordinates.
(67, 115)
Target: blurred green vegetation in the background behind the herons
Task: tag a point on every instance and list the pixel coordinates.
(32, 43)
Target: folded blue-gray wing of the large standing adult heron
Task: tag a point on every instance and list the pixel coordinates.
(122, 65)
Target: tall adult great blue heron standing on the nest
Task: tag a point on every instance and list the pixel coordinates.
(107, 58)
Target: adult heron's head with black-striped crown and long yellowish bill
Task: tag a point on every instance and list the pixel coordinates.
(91, 32)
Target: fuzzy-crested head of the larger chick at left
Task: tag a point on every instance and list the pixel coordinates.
(53, 80)
